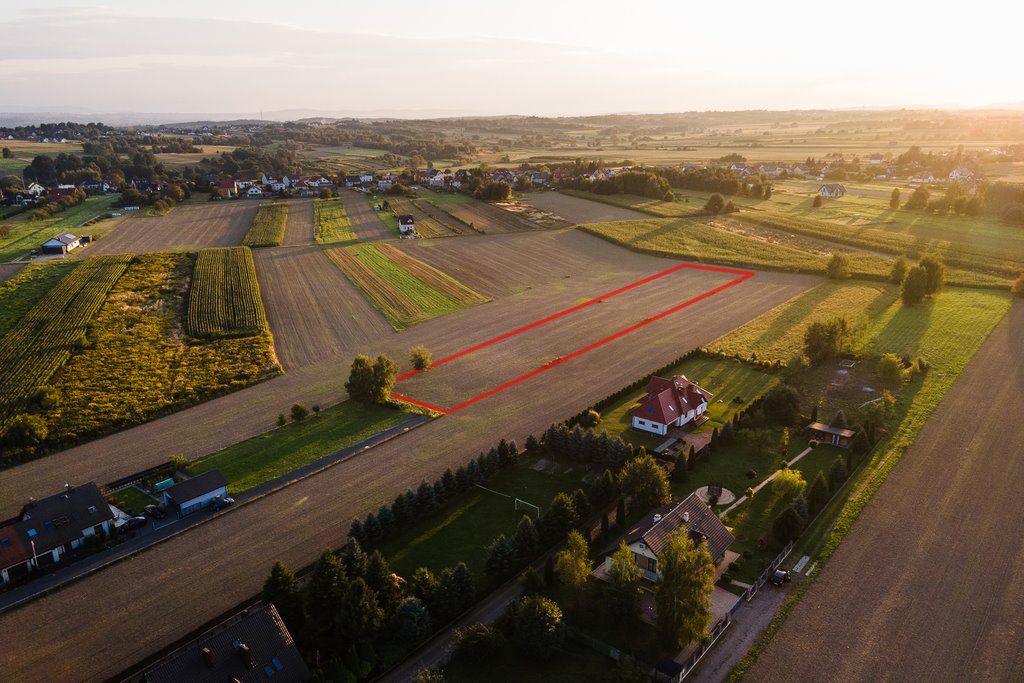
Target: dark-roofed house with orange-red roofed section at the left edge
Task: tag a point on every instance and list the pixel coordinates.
(49, 529)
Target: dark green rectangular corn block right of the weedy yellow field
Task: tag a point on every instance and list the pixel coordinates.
(225, 301)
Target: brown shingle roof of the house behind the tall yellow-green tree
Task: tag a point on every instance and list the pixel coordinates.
(694, 516)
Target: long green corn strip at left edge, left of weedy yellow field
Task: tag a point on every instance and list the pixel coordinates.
(50, 332)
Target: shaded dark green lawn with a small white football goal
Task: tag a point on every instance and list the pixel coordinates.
(460, 532)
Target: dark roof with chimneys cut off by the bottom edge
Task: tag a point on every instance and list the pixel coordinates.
(255, 648)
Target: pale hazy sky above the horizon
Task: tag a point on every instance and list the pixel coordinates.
(524, 57)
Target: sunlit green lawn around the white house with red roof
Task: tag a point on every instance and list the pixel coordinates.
(728, 380)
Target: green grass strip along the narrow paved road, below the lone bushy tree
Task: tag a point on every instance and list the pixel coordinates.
(269, 456)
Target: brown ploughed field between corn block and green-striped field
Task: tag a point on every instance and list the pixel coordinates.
(315, 312)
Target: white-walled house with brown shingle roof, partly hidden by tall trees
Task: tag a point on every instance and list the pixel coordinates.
(650, 537)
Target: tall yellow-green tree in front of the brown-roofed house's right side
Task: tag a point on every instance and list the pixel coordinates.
(684, 593)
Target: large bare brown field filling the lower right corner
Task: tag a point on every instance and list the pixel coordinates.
(928, 585)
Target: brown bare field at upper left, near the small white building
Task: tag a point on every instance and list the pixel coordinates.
(187, 229)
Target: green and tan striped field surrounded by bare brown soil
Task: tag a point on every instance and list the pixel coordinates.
(406, 290)
